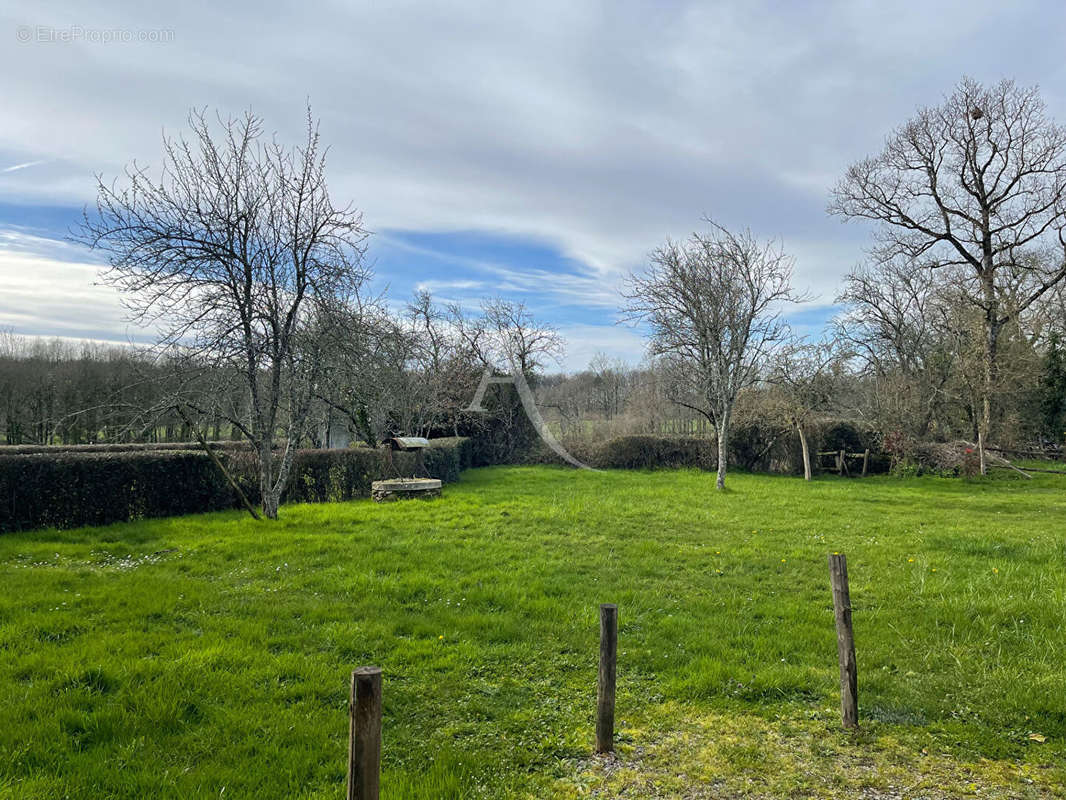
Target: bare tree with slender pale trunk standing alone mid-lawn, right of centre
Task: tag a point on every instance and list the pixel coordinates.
(714, 307)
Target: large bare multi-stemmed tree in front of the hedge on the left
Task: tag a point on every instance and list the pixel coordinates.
(238, 258)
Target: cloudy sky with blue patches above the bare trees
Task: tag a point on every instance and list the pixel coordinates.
(537, 151)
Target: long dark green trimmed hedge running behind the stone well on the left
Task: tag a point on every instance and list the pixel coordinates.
(68, 490)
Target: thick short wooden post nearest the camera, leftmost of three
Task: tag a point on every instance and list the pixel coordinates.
(365, 735)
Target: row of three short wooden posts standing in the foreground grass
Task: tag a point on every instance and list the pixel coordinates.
(365, 709)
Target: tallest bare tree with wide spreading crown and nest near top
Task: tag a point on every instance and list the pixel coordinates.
(978, 184)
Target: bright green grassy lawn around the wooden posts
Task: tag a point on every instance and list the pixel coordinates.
(209, 657)
